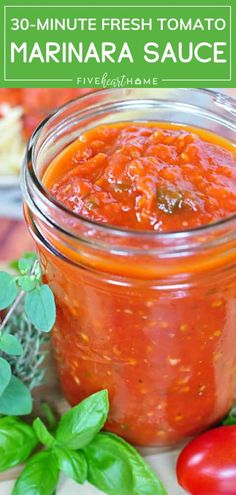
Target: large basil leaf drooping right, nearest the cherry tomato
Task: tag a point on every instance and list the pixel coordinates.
(116, 467)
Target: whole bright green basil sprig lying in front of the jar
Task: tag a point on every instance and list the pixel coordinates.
(78, 449)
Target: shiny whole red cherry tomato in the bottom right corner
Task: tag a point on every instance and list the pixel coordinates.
(207, 465)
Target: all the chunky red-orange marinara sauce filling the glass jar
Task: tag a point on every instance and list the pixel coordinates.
(167, 357)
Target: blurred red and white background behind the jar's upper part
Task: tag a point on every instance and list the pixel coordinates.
(21, 110)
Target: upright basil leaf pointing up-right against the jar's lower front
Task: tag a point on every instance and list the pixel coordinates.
(80, 424)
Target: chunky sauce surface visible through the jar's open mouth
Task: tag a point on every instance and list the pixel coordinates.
(147, 176)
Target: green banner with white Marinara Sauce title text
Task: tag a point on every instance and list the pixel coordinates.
(180, 44)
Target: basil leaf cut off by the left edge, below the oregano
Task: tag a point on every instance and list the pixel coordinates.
(17, 441)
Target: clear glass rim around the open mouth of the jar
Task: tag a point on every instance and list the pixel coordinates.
(225, 100)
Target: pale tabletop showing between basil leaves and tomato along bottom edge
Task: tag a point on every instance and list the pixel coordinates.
(164, 465)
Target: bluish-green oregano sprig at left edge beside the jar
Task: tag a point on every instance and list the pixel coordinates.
(36, 301)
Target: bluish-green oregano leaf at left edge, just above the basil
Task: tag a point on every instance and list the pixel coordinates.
(16, 399)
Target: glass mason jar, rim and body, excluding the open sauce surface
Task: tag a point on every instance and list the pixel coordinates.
(149, 316)
